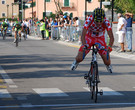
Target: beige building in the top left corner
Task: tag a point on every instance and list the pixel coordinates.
(8, 9)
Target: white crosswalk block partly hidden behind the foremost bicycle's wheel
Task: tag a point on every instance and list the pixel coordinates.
(106, 91)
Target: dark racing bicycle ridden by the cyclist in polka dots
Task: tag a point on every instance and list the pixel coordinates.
(92, 78)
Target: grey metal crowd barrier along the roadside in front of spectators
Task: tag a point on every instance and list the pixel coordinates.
(72, 34)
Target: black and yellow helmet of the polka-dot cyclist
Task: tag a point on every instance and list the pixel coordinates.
(99, 14)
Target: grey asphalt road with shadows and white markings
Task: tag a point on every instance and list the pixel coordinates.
(37, 76)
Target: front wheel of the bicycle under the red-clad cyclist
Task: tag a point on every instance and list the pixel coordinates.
(94, 81)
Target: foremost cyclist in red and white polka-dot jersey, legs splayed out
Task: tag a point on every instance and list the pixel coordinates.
(93, 32)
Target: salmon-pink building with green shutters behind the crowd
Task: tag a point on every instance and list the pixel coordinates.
(70, 7)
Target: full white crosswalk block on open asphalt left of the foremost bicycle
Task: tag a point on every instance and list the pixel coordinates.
(49, 92)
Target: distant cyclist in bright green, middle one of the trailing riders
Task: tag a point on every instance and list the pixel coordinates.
(17, 27)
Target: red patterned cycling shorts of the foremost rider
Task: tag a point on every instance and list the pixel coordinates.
(92, 40)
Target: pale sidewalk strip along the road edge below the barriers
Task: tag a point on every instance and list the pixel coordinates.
(116, 50)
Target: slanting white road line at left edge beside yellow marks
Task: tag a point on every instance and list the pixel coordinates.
(6, 77)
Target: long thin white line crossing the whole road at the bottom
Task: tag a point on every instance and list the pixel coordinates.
(67, 105)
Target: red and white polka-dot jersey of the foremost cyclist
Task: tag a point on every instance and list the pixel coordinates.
(93, 29)
